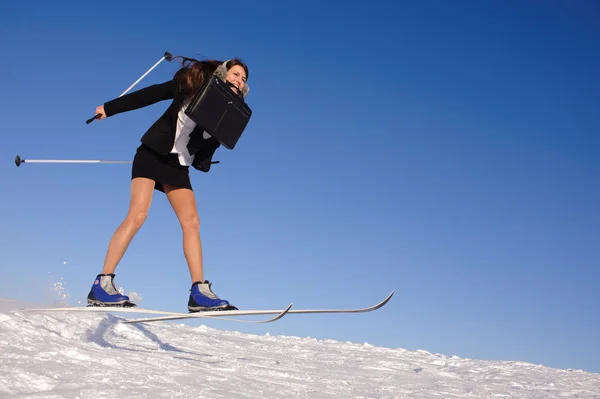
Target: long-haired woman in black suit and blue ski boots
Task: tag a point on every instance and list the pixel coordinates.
(169, 147)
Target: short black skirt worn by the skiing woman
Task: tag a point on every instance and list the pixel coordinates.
(163, 169)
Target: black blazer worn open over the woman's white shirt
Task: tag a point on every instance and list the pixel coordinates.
(161, 135)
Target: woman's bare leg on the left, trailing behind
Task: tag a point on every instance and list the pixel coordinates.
(141, 197)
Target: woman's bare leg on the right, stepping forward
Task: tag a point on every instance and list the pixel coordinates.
(183, 202)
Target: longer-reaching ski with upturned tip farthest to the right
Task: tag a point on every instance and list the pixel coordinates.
(179, 316)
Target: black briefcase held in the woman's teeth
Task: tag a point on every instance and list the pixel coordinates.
(220, 111)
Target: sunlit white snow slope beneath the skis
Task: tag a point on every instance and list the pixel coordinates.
(89, 355)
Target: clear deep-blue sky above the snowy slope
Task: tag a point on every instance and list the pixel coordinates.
(445, 150)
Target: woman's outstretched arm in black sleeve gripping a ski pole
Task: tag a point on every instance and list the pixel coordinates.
(138, 99)
